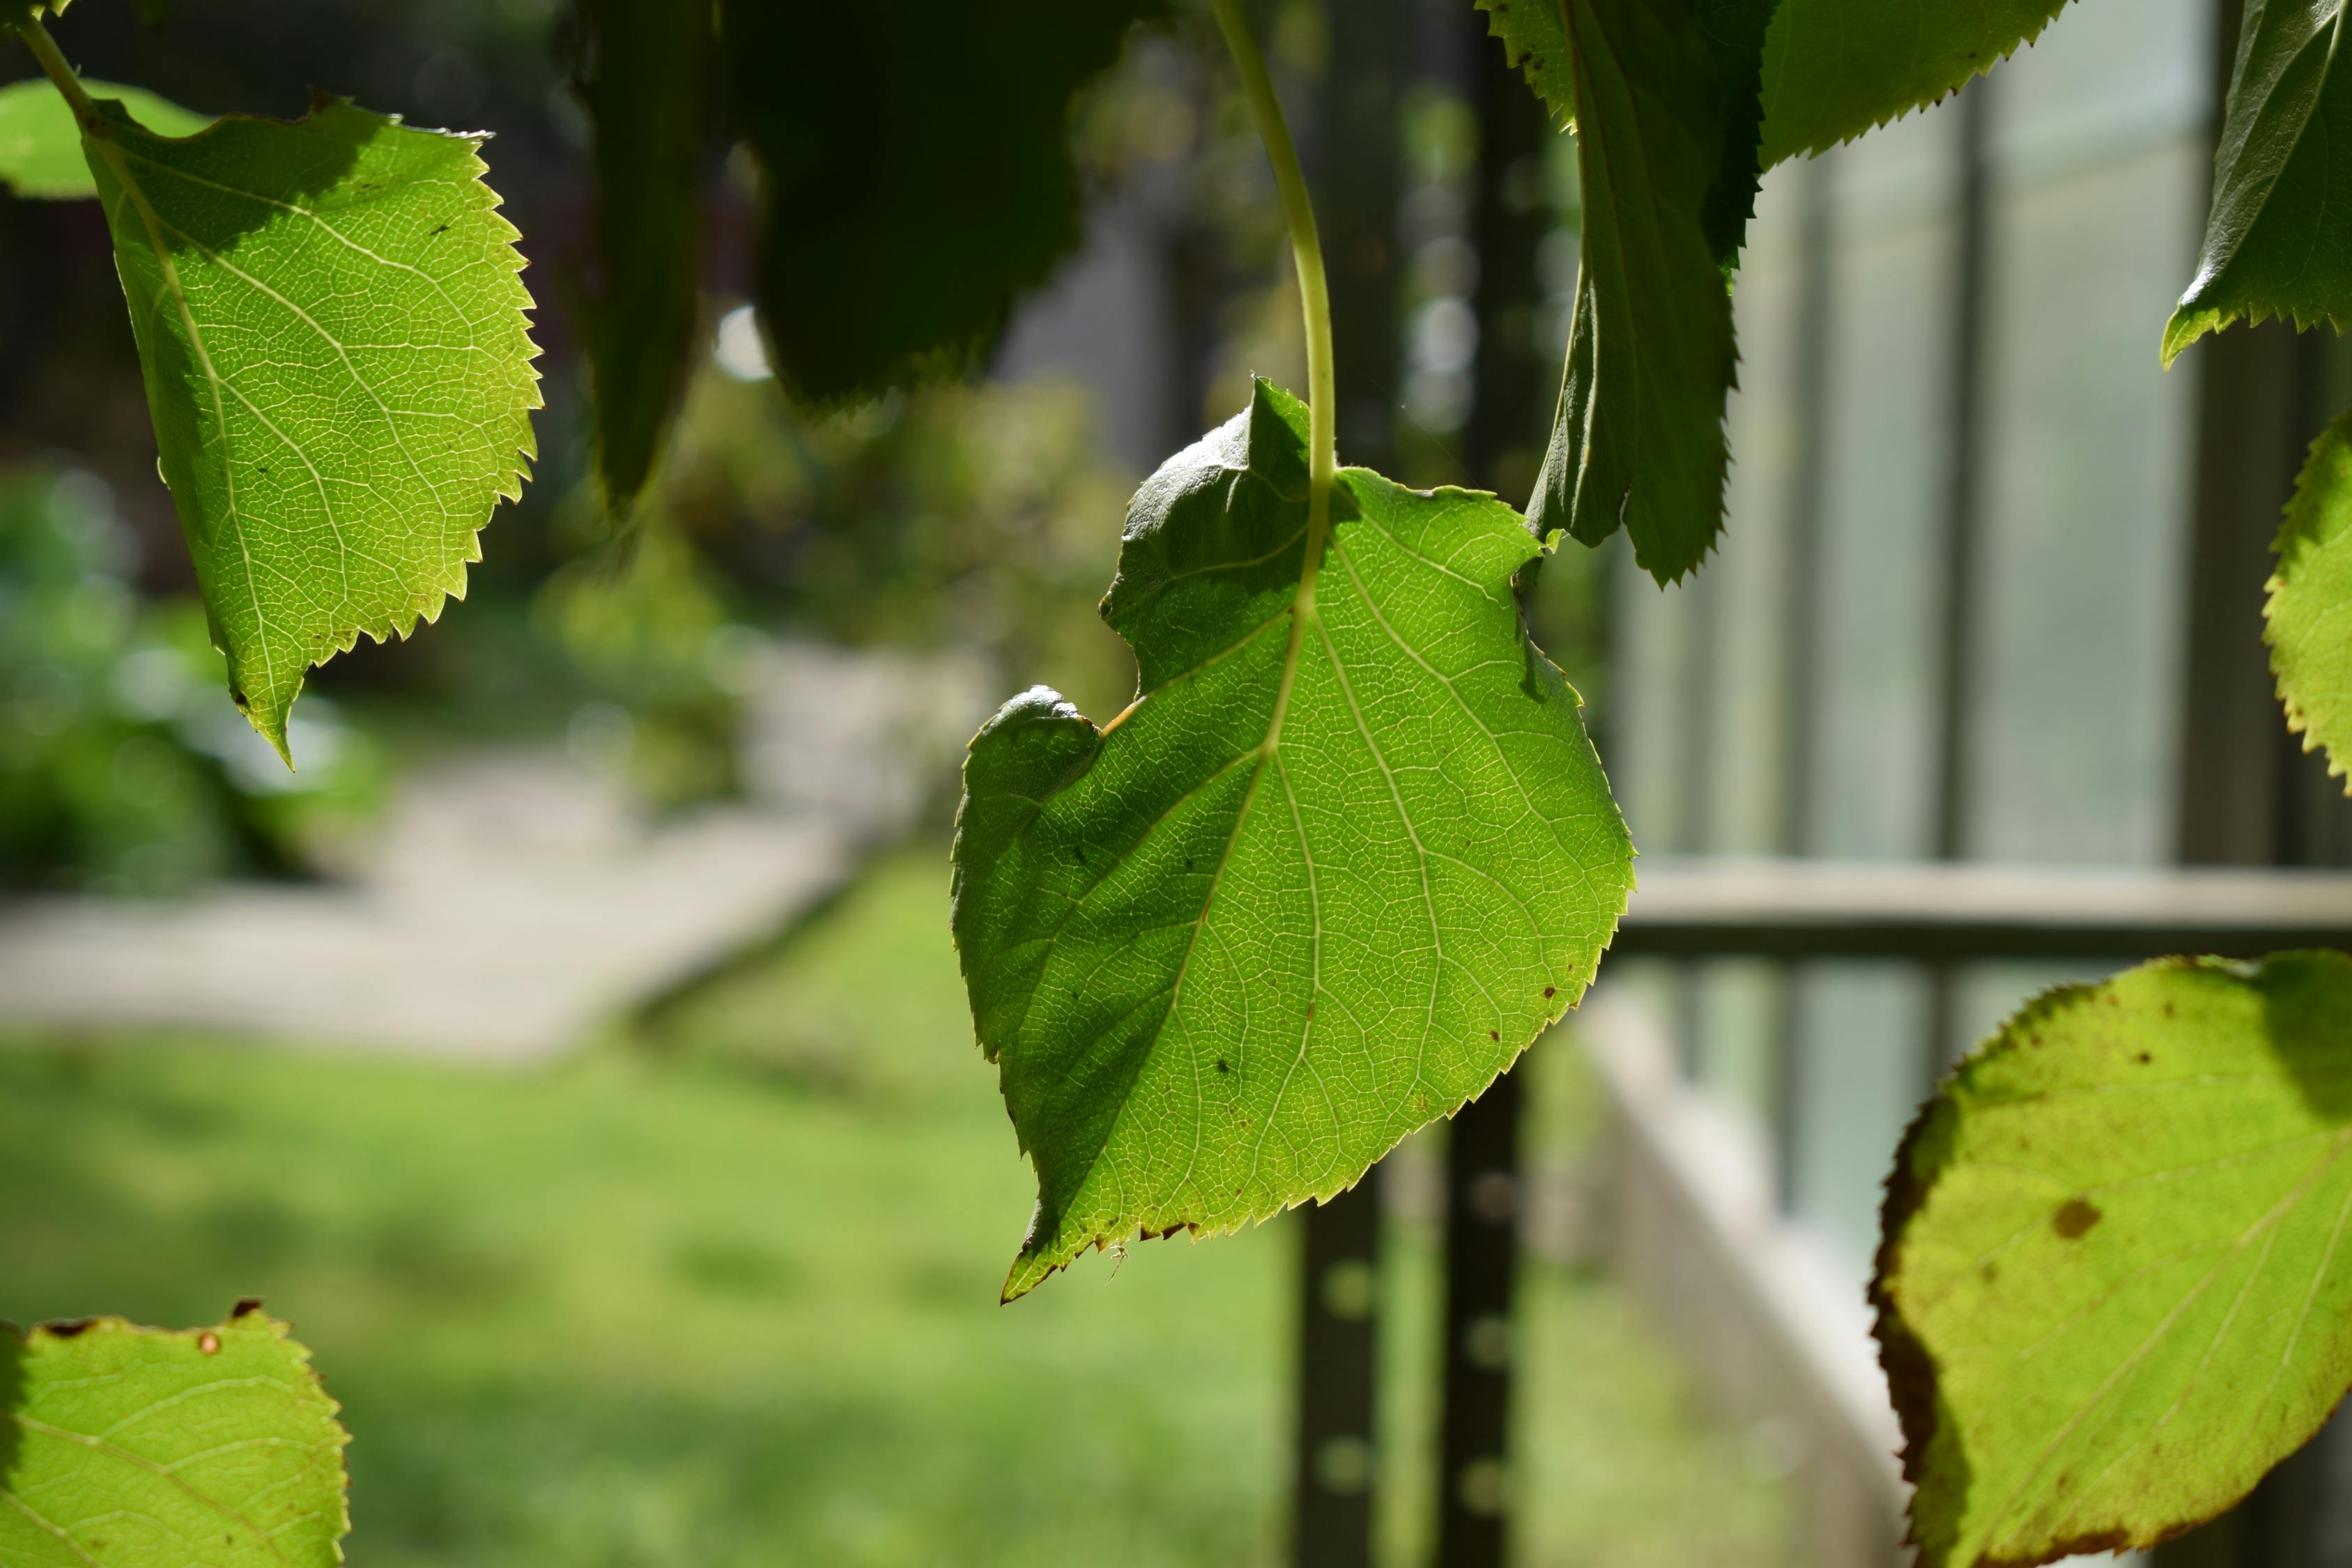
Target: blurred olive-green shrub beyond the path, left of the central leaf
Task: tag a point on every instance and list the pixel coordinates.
(956, 516)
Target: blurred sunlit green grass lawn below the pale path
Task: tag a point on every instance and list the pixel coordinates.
(726, 1292)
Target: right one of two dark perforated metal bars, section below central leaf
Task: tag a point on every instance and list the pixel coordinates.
(1483, 1259)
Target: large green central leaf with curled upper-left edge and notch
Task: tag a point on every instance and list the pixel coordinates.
(1330, 873)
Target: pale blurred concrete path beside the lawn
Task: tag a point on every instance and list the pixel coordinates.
(516, 899)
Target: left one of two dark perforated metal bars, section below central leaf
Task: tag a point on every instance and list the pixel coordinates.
(1339, 1336)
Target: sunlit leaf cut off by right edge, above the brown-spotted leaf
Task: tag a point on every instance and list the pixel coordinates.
(2308, 617)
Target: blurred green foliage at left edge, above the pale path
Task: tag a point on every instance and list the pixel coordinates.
(121, 768)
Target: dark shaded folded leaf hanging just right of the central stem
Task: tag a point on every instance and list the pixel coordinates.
(1666, 109)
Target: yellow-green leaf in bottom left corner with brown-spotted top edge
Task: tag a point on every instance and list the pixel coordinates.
(142, 1449)
